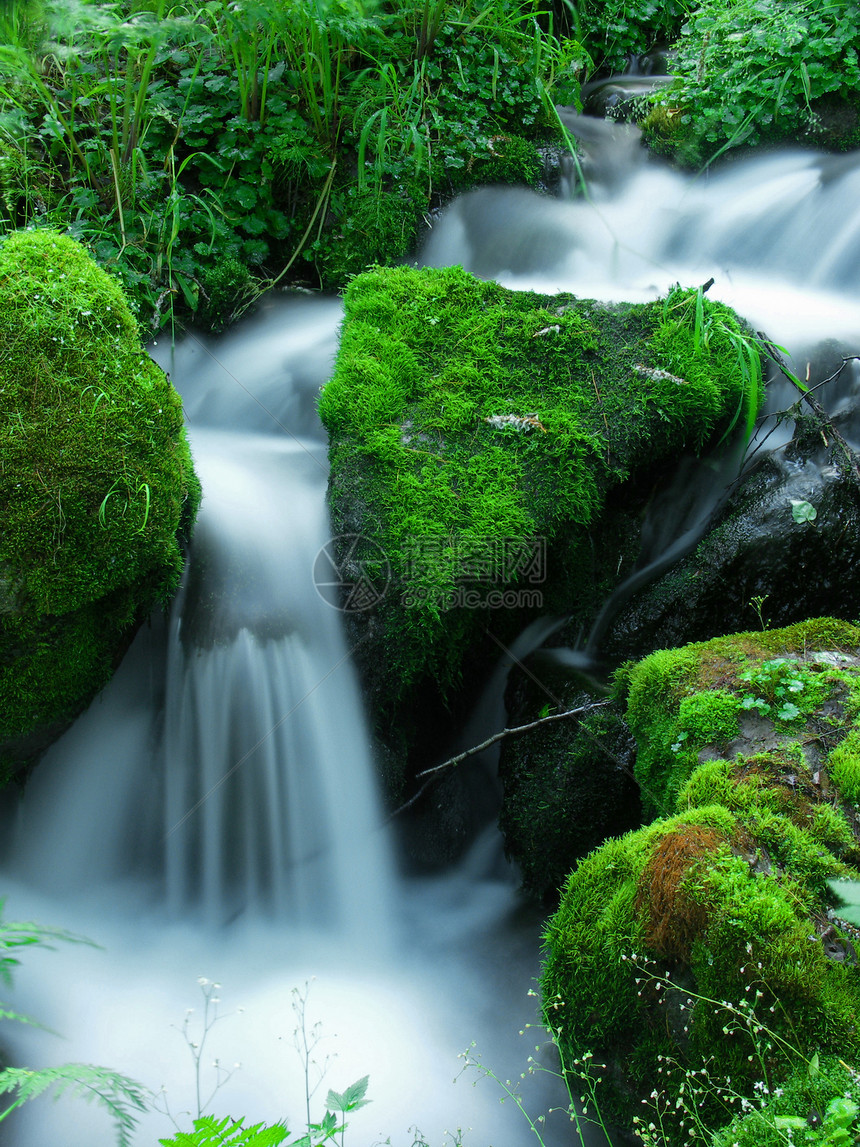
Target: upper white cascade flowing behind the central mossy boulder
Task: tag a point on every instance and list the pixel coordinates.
(780, 236)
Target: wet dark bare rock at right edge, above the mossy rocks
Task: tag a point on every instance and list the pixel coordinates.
(757, 550)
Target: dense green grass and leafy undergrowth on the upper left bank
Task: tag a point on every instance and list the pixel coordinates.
(206, 153)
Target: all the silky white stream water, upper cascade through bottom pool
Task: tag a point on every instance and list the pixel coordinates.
(214, 814)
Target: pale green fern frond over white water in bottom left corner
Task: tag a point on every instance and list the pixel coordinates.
(119, 1095)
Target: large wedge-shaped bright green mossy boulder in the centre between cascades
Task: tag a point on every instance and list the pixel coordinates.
(475, 435)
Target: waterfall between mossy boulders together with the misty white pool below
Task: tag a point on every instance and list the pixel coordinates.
(215, 815)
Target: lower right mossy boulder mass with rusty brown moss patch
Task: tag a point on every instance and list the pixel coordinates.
(705, 947)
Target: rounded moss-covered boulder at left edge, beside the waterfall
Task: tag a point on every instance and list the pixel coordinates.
(97, 486)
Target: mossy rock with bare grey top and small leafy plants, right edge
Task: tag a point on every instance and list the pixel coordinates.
(742, 695)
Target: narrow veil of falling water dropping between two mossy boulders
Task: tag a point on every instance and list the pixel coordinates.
(269, 783)
